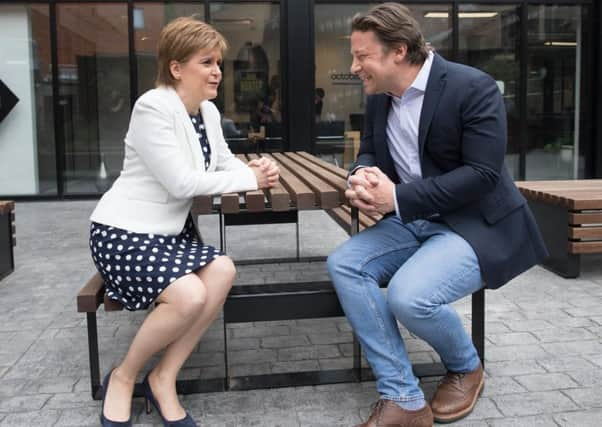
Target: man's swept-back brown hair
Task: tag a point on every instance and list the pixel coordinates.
(394, 25)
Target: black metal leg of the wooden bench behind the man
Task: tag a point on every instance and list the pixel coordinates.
(553, 222)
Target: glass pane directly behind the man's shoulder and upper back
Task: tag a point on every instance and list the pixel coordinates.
(489, 40)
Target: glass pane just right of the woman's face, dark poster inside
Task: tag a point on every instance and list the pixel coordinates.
(250, 95)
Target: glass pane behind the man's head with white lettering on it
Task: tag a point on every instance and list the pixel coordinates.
(339, 96)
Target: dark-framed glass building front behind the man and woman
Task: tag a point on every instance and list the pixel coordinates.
(70, 72)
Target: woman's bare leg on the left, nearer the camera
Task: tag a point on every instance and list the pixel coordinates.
(180, 304)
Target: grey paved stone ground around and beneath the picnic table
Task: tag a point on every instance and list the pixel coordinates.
(543, 350)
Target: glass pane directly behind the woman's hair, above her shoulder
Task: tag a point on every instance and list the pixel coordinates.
(149, 19)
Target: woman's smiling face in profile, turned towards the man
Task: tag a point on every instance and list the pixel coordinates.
(199, 77)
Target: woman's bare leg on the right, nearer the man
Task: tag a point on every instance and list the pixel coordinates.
(218, 277)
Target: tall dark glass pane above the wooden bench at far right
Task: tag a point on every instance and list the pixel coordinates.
(553, 92)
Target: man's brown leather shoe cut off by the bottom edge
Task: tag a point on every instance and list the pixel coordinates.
(386, 413)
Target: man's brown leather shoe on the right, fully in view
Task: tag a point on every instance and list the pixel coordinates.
(456, 395)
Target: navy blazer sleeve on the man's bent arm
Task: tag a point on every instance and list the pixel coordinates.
(483, 146)
